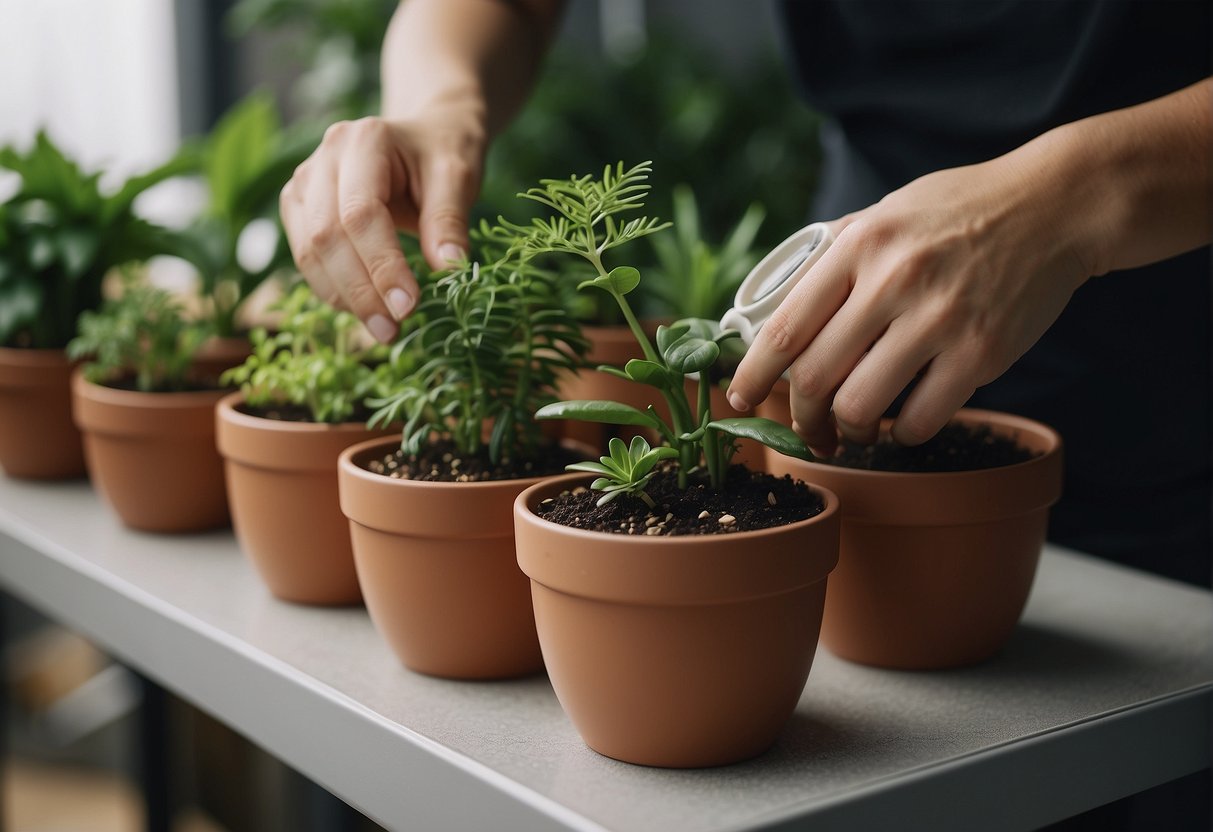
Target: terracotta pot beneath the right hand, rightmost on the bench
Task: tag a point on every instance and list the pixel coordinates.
(935, 569)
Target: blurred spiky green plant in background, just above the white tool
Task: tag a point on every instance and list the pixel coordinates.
(694, 278)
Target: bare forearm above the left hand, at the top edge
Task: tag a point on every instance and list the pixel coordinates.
(480, 55)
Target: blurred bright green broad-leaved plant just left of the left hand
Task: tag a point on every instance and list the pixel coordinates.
(246, 161)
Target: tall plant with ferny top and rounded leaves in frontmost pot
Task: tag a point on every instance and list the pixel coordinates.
(588, 224)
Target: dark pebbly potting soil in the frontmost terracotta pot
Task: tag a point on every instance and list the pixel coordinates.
(749, 500)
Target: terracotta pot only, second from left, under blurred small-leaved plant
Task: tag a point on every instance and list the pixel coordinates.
(152, 455)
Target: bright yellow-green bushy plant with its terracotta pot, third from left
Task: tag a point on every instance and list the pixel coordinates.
(301, 403)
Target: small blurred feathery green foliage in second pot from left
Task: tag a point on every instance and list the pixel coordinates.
(140, 333)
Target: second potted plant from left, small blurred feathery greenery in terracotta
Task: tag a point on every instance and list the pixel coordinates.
(147, 421)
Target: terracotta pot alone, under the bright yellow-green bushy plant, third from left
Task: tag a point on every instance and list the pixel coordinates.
(282, 485)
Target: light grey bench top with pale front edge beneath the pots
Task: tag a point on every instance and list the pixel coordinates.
(1106, 689)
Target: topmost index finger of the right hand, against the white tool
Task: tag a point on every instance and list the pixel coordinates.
(791, 328)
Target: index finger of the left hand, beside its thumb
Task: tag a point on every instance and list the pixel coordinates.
(366, 183)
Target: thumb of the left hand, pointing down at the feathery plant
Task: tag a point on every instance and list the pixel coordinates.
(448, 190)
